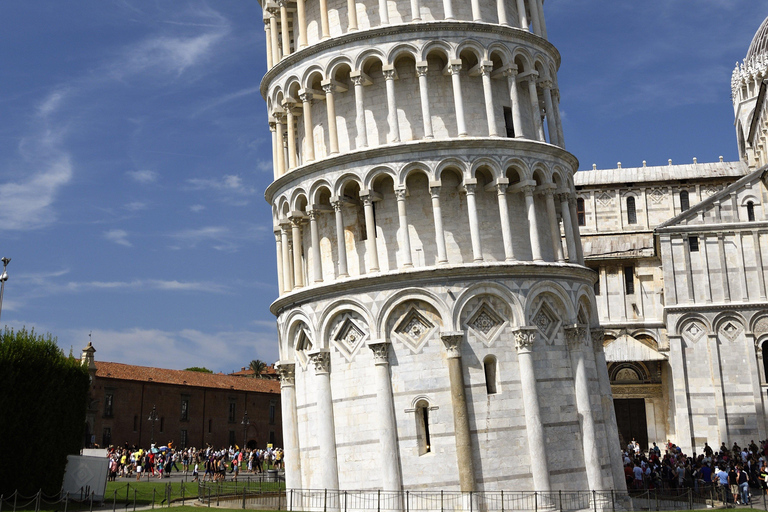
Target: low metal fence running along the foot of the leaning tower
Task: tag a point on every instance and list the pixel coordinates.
(325, 500)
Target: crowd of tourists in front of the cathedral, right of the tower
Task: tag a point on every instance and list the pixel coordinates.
(731, 472)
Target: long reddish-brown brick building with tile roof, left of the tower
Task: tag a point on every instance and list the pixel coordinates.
(192, 408)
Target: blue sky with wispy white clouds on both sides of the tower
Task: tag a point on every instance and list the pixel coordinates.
(134, 153)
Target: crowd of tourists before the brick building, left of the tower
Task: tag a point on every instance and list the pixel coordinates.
(204, 464)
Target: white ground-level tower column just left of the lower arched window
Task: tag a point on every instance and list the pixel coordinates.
(391, 480)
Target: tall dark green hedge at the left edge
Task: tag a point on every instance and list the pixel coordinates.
(42, 411)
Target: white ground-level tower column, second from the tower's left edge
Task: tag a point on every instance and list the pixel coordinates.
(324, 428)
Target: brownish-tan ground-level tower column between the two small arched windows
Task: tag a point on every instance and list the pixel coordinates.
(466, 466)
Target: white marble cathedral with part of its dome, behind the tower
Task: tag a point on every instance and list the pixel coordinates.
(681, 253)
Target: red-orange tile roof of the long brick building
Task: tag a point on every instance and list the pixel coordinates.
(183, 378)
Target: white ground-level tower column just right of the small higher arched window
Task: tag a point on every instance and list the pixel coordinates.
(537, 446)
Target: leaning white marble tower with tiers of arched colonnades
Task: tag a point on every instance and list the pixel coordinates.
(437, 327)
